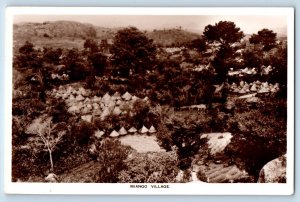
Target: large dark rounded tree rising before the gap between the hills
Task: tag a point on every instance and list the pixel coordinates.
(132, 51)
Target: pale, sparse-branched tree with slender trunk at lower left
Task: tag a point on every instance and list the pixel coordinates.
(48, 135)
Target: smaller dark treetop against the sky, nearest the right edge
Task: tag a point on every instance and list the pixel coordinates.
(266, 38)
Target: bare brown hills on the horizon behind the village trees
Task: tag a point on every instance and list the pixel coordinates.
(70, 34)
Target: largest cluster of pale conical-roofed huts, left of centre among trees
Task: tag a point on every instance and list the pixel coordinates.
(80, 102)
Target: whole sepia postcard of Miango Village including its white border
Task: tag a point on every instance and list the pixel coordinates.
(150, 100)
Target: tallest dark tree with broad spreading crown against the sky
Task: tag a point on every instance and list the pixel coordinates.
(225, 34)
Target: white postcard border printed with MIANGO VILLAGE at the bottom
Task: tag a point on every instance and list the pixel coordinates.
(175, 188)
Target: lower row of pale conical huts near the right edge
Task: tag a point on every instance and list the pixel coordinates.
(257, 86)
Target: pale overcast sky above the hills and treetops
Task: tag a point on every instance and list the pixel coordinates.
(248, 24)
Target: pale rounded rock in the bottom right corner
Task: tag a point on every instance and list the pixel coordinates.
(274, 171)
